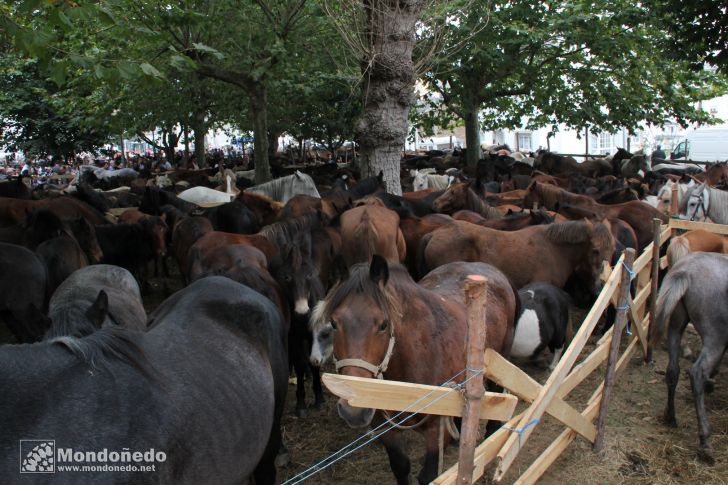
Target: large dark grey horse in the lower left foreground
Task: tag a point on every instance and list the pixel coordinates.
(204, 386)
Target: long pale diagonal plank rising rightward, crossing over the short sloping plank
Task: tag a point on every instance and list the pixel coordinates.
(510, 450)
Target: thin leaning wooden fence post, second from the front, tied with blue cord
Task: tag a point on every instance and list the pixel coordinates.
(619, 323)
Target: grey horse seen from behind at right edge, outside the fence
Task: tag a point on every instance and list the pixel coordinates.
(694, 291)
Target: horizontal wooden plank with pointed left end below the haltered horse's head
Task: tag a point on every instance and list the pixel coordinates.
(363, 392)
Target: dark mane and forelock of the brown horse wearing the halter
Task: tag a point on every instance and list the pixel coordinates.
(359, 282)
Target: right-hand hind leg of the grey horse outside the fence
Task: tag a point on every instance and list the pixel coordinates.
(705, 365)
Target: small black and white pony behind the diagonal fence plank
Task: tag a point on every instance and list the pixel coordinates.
(542, 323)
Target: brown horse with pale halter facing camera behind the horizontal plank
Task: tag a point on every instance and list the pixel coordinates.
(378, 321)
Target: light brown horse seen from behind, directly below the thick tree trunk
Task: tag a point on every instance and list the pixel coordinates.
(371, 229)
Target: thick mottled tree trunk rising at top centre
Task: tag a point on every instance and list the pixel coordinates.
(388, 87)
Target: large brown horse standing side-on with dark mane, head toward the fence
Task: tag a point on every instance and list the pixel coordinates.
(549, 253)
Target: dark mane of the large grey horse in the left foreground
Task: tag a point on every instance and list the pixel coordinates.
(105, 346)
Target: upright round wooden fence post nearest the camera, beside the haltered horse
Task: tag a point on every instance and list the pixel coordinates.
(475, 295)
